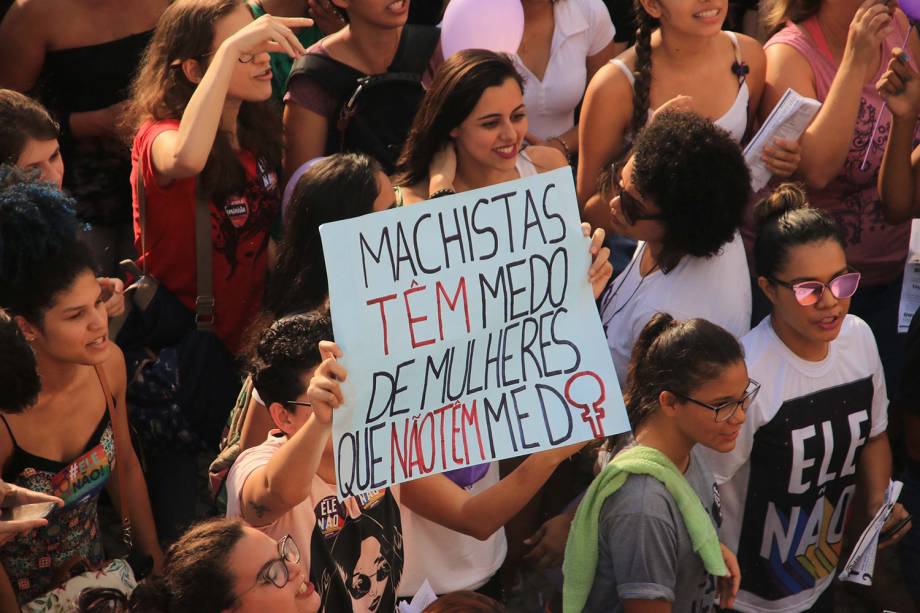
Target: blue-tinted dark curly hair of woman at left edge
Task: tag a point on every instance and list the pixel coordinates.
(40, 255)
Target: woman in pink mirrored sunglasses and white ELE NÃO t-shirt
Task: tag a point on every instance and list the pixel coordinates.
(815, 437)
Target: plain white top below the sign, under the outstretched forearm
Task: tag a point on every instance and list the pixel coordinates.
(450, 560)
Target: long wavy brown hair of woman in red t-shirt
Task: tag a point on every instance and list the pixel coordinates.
(162, 91)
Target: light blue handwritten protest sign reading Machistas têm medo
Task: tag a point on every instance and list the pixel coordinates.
(469, 332)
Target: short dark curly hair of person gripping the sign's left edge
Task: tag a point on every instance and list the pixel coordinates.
(288, 349)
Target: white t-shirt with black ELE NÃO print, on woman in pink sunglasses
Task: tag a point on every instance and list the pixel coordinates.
(798, 449)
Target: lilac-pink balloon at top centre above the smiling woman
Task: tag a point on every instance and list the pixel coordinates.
(497, 25)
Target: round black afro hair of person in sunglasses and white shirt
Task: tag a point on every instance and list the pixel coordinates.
(695, 173)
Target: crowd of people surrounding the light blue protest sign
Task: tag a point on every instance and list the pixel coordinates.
(167, 354)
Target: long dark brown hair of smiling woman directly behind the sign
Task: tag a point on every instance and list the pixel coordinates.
(457, 87)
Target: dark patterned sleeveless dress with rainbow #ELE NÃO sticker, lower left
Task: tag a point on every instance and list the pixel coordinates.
(31, 559)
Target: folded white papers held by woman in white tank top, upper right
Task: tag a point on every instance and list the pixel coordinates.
(788, 119)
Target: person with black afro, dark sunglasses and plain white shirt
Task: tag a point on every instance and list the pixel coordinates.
(681, 195)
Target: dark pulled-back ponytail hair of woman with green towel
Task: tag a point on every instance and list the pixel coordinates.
(678, 356)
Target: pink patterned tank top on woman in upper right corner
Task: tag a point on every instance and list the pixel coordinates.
(875, 248)
